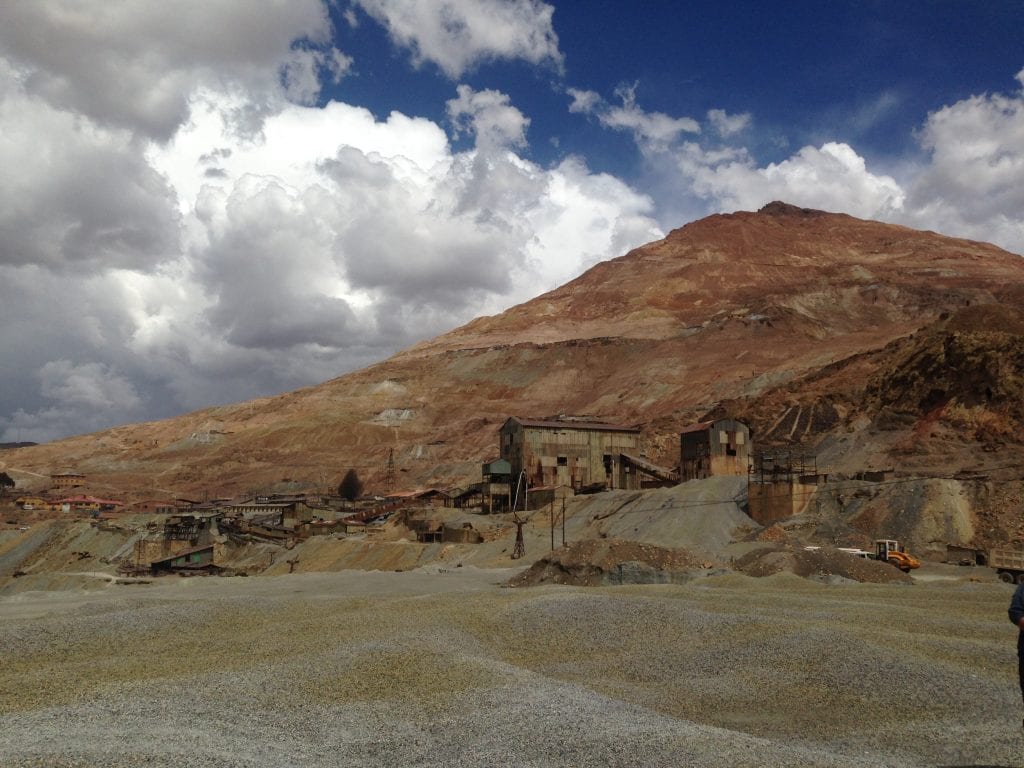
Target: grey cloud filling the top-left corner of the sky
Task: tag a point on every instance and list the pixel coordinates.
(135, 65)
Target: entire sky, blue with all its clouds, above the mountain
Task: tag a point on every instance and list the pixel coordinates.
(203, 205)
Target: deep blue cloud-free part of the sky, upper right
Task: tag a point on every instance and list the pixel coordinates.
(865, 73)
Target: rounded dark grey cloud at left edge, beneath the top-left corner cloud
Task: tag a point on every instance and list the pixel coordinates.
(74, 196)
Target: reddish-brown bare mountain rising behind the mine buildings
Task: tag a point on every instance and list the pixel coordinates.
(819, 328)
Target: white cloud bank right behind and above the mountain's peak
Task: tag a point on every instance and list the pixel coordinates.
(968, 184)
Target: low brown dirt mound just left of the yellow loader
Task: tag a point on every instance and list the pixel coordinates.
(819, 564)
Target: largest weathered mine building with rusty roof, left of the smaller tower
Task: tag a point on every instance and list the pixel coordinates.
(567, 452)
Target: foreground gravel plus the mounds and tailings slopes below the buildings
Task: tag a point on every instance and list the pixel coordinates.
(723, 645)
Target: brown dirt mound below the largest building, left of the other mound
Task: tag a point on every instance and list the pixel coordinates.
(598, 562)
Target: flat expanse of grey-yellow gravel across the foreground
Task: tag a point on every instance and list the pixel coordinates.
(450, 669)
